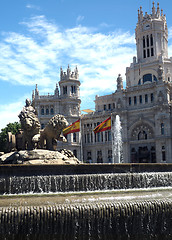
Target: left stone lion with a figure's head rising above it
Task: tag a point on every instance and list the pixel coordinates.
(30, 125)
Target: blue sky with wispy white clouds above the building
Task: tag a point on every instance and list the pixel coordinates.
(37, 37)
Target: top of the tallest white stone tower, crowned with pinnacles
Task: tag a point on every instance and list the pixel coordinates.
(151, 35)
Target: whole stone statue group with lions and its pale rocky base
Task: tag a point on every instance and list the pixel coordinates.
(32, 145)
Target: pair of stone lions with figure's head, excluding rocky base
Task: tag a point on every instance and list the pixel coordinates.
(33, 137)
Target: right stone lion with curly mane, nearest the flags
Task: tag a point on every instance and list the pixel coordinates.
(52, 132)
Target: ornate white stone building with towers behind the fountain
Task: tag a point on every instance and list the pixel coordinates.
(144, 106)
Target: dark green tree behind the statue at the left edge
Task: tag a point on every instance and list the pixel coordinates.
(11, 127)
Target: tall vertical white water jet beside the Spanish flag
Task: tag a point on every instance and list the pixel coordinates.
(117, 141)
